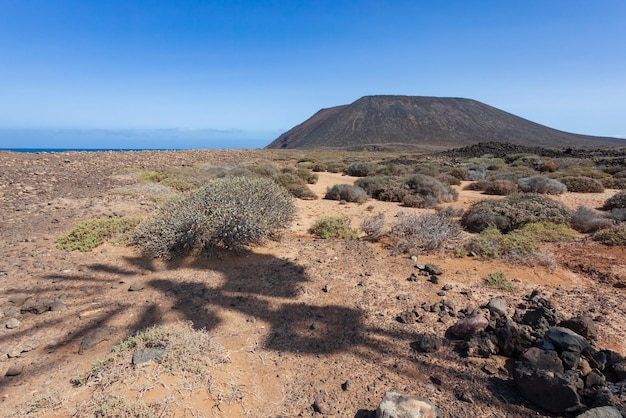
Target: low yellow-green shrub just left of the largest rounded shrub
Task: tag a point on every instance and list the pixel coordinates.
(87, 235)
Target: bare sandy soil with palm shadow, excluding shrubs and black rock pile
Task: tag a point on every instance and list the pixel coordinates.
(302, 320)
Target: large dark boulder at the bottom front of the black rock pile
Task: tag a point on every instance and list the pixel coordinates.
(550, 390)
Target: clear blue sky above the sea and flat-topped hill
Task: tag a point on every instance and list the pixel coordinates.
(240, 70)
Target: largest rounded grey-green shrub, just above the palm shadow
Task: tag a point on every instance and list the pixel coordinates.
(231, 213)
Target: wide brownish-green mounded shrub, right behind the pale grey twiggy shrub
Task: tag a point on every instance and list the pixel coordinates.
(513, 212)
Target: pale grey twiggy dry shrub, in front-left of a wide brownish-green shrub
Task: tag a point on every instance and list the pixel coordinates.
(423, 233)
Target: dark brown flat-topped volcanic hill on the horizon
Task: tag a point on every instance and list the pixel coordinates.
(429, 122)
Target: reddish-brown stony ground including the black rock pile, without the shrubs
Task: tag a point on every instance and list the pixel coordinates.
(299, 327)
